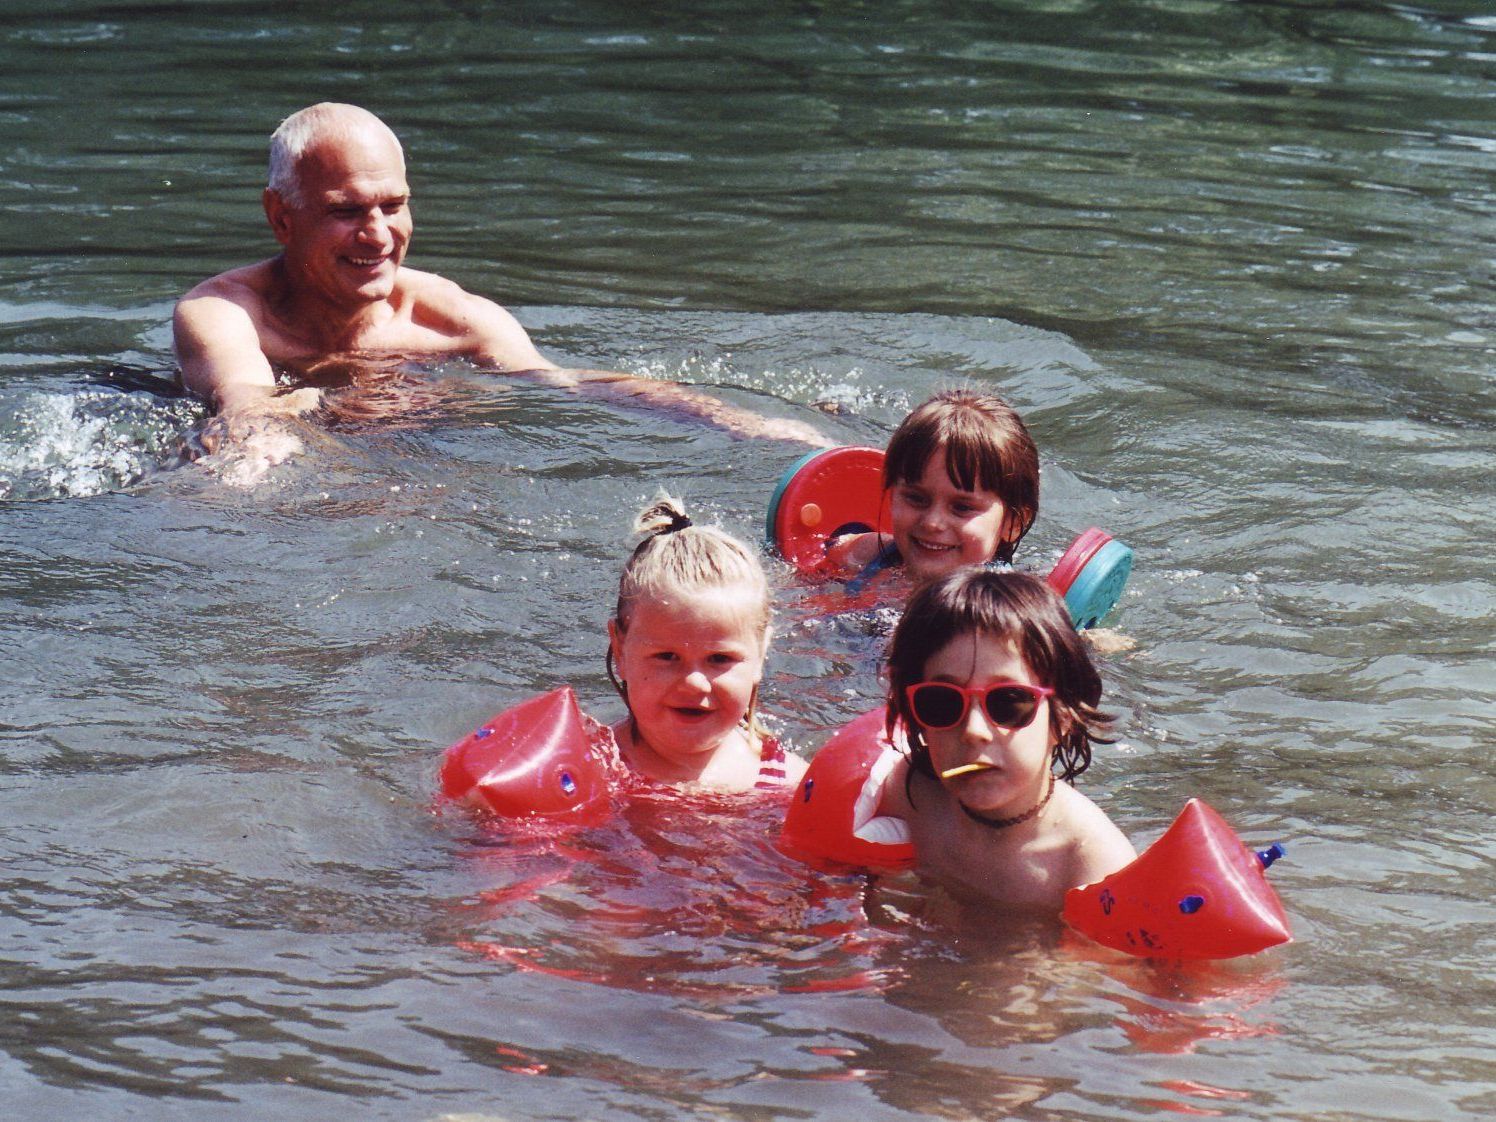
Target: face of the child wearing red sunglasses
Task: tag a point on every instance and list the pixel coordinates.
(1017, 759)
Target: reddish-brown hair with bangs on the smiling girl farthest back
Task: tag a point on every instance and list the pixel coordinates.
(985, 447)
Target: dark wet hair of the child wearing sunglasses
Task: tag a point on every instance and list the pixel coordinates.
(1023, 610)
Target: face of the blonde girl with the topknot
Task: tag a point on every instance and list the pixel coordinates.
(690, 666)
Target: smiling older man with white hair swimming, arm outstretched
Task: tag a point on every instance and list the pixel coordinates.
(340, 294)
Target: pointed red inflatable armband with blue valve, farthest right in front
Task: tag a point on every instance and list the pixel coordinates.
(1195, 894)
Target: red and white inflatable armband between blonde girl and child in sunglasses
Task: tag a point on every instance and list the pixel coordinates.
(833, 812)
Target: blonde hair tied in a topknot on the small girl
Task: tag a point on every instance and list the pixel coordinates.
(678, 559)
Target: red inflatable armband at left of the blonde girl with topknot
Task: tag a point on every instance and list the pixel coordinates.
(532, 761)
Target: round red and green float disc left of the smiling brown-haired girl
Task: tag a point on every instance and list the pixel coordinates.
(821, 494)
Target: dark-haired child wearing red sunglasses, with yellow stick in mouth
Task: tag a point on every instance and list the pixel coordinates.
(997, 698)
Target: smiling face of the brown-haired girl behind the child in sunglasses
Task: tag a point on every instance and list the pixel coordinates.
(939, 527)
